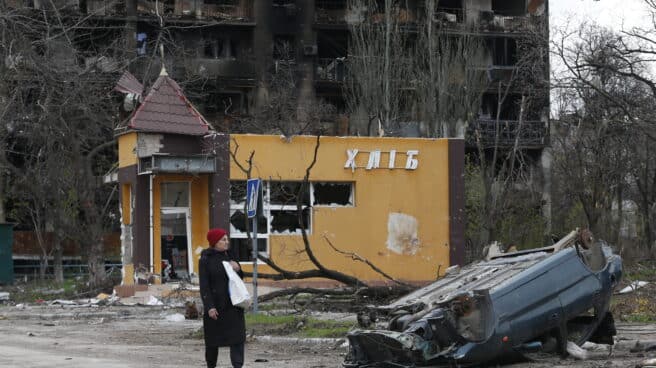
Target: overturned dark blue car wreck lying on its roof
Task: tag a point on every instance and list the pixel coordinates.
(523, 303)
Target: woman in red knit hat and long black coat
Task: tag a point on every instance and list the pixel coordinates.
(223, 323)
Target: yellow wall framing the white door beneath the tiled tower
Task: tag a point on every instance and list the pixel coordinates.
(199, 216)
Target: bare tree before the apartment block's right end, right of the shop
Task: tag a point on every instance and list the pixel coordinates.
(506, 173)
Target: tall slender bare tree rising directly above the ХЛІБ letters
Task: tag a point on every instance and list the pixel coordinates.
(379, 66)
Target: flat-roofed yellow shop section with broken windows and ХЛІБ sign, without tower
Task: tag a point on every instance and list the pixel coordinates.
(389, 200)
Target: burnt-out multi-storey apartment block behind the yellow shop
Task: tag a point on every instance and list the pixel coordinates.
(224, 53)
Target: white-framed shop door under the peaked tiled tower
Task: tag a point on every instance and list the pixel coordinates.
(176, 244)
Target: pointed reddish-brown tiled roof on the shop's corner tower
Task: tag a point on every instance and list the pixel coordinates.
(166, 110)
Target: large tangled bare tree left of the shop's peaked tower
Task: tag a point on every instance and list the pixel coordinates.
(58, 121)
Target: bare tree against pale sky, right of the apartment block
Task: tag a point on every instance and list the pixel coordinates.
(607, 86)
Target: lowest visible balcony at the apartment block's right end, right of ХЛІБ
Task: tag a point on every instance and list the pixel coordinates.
(533, 134)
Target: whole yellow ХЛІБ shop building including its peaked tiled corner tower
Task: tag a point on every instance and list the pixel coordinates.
(395, 202)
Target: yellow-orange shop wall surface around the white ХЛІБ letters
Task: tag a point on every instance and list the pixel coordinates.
(422, 193)
